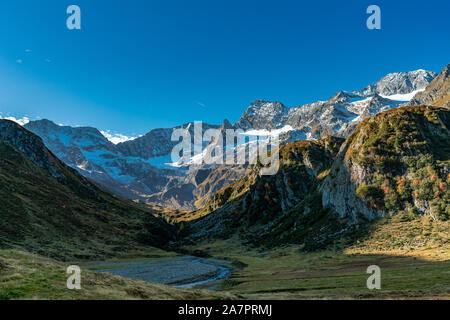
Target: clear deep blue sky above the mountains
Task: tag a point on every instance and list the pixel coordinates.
(137, 65)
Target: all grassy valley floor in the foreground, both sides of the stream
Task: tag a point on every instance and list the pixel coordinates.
(414, 258)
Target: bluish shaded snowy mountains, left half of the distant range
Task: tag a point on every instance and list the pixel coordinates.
(126, 169)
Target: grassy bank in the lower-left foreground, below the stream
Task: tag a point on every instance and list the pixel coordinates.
(27, 276)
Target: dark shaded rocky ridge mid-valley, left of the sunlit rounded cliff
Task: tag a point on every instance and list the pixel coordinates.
(271, 210)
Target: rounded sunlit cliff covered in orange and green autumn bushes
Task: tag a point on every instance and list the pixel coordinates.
(393, 161)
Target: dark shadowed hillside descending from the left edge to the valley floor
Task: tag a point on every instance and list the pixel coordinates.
(50, 209)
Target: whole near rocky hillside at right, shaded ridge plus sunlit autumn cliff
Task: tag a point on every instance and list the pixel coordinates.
(325, 192)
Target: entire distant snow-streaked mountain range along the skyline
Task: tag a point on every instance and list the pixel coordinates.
(142, 169)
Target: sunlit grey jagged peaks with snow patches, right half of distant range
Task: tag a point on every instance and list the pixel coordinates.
(341, 113)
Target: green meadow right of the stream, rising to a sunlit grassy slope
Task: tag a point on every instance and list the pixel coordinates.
(414, 258)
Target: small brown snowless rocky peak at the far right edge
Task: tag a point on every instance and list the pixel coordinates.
(437, 93)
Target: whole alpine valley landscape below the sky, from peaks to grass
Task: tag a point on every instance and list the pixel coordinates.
(363, 180)
